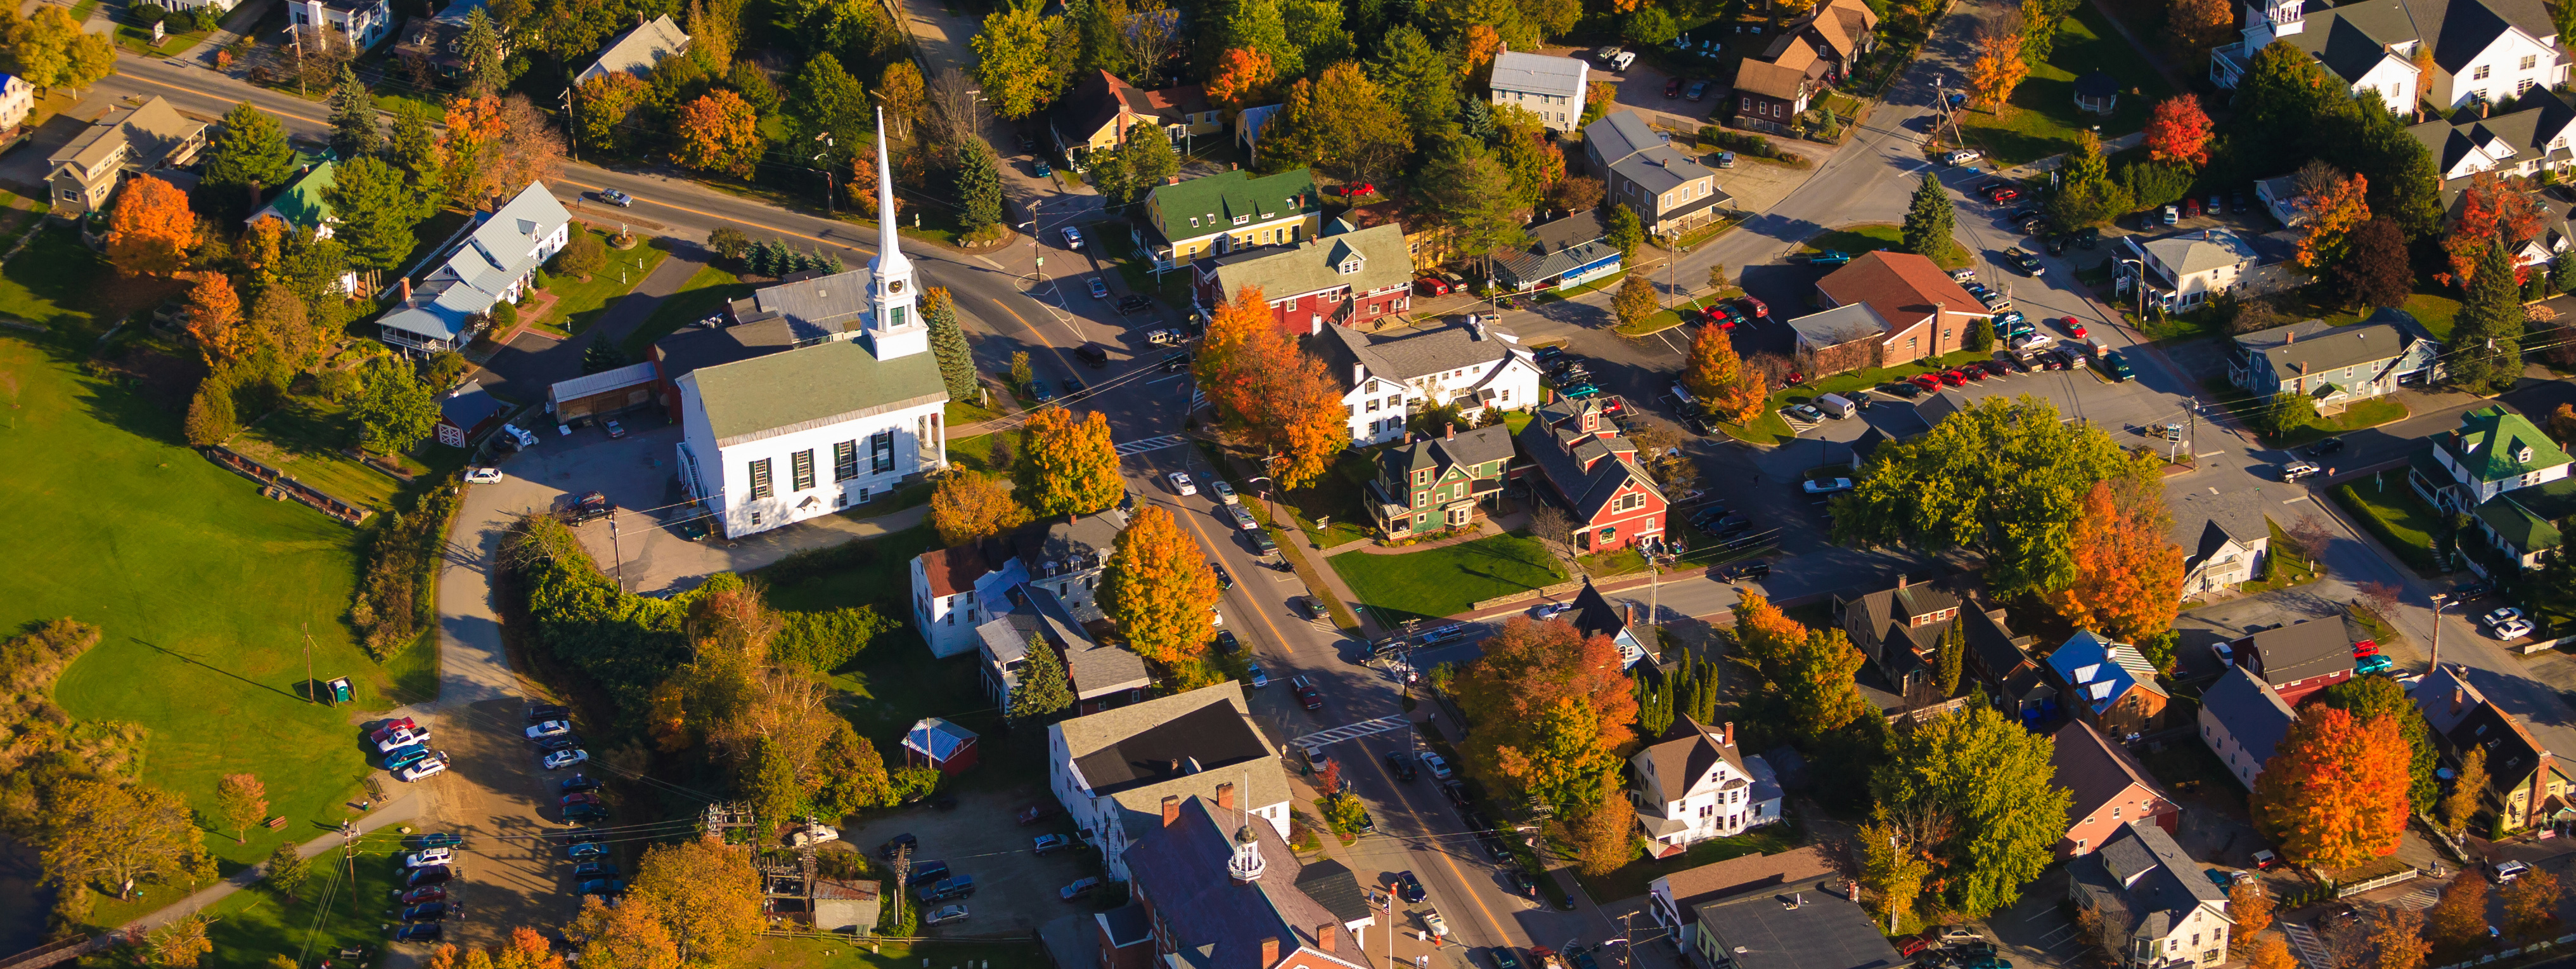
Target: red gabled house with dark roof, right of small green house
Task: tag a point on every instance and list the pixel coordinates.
(1593, 475)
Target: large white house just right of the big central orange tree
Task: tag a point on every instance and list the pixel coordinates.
(1392, 378)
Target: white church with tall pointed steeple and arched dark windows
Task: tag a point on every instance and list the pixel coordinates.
(828, 427)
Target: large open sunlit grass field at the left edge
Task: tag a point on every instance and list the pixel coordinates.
(200, 586)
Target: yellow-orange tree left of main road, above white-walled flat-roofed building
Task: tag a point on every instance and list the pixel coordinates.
(1160, 589)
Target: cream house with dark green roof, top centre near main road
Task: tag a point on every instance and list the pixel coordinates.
(1230, 213)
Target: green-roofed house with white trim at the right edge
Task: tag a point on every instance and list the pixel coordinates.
(2510, 478)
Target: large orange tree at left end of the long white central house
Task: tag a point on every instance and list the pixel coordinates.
(1271, 390)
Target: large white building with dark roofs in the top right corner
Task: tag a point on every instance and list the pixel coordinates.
(2479, 50)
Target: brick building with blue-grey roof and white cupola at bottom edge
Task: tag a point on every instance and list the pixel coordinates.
(1215, 921)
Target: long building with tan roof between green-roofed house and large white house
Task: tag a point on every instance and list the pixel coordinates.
(1346, 277)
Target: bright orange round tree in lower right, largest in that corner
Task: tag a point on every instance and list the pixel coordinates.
(2335, 790)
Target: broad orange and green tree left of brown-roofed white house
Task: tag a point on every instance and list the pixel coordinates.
(1555, 713)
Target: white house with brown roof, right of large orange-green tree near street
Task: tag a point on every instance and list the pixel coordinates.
(1699, 787)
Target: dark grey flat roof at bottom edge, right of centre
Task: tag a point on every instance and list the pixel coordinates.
(1797, 929)
